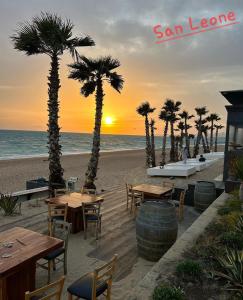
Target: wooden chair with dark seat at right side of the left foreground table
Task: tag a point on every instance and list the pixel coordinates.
(61, 230)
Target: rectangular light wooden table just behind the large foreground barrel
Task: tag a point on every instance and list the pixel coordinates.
(153, 191)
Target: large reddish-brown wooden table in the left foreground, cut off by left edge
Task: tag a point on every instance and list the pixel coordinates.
(17, 272)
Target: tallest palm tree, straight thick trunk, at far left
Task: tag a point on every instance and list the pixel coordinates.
(48, 34)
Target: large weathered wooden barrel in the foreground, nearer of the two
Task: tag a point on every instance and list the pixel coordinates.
(156, 229)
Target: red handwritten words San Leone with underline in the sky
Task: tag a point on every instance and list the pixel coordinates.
(193, 27)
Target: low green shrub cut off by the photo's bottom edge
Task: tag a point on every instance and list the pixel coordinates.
(166, 292)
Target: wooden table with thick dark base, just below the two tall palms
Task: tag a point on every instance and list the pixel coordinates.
(74, 201)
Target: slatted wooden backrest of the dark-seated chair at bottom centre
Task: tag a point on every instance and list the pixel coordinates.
(104, 273)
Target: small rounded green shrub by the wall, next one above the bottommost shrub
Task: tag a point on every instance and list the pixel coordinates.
(189, 269)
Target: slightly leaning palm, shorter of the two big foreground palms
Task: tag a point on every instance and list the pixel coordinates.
(92, 73)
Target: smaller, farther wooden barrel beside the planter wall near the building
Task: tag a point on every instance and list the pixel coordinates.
(204, 195)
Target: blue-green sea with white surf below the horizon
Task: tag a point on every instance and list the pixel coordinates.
(16, 144)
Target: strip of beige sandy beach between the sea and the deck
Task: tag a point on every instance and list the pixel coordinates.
(115, 168)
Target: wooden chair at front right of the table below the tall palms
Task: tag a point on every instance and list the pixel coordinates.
(91, 214)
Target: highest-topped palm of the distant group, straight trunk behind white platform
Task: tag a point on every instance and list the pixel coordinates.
(172, 107)
